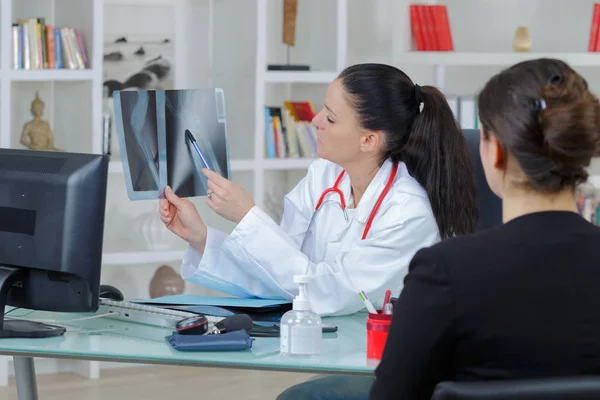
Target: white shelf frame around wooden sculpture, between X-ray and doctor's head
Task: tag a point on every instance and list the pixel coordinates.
(264, 78)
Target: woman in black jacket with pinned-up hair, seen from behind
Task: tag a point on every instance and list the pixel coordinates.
(521, 300)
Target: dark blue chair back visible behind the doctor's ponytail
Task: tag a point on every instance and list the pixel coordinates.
(489, 205)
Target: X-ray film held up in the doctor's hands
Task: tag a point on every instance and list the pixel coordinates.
(167, 137)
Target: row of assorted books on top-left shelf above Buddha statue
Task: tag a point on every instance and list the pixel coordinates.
(36, 45)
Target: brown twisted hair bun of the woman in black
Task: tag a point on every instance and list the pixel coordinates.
(569, 117)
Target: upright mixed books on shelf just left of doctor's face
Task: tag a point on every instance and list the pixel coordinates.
(289, 132)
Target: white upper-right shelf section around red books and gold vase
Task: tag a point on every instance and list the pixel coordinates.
(469, 18)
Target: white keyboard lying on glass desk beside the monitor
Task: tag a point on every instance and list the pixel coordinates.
(147, 315)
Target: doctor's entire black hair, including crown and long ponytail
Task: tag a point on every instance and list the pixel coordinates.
(429, 142)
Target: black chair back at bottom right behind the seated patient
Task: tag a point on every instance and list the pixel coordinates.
(559, 388)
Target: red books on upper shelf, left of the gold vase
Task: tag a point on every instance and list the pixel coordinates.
(430, 27)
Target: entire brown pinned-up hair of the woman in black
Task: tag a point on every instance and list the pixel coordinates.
(544, 116)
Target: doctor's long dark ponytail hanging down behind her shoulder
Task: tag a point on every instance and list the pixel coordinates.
(437, 156)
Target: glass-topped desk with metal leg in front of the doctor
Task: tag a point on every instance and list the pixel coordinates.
(104, 339)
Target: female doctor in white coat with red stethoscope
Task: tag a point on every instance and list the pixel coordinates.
(394, 175)
